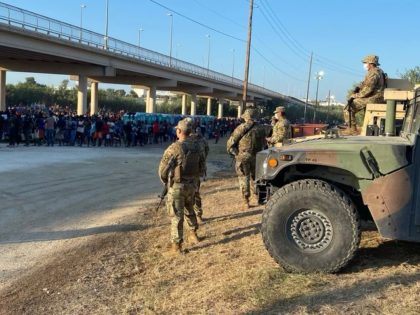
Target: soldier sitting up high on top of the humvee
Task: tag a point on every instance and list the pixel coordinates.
(370, 90)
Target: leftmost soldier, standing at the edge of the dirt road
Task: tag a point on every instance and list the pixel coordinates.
(181, 164)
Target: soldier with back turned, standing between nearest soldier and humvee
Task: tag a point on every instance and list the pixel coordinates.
(244, 143)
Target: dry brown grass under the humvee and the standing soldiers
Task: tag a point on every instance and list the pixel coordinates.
(229, 272)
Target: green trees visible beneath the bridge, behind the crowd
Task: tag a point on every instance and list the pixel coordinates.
(31, 92)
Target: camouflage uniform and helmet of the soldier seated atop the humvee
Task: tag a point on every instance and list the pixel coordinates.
(371, 90)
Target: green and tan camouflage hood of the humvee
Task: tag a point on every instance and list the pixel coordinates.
(350, 153)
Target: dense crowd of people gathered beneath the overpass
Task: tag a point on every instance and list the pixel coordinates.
(42, 125)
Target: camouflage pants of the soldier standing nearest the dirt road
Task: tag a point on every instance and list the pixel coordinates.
(181, 202)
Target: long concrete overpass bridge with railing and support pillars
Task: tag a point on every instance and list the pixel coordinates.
(30, 42)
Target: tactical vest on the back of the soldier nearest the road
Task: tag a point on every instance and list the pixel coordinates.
(190, 167)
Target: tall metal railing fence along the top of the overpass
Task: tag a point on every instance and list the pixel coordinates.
(27, 20)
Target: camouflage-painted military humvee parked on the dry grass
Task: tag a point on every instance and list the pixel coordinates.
(317, 191)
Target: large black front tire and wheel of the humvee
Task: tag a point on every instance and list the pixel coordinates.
(311, 226)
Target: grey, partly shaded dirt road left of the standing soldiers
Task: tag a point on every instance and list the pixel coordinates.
(53, 197)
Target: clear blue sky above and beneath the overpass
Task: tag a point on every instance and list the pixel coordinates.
(285, 32)
